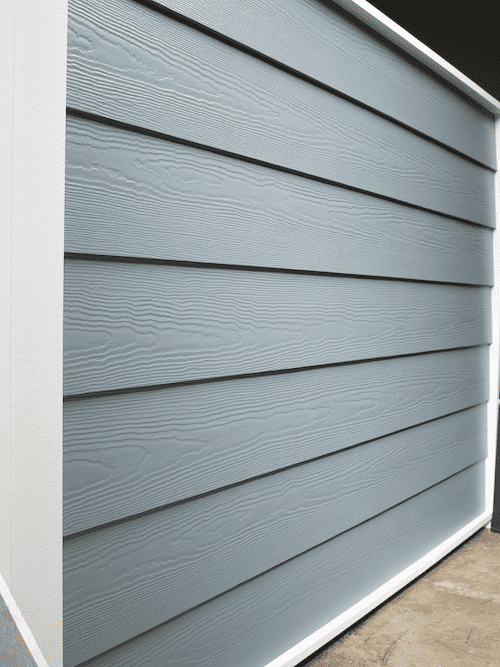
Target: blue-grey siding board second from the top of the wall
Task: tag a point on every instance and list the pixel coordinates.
(130, 63)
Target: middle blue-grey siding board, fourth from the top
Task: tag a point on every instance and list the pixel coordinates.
(131, 325)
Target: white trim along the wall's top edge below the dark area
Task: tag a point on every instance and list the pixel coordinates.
(385, 26)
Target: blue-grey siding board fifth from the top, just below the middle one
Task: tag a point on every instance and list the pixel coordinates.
(128, 453)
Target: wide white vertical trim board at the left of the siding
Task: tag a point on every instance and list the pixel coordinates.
(33, 54)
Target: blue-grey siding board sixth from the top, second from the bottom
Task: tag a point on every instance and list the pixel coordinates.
(168, 562)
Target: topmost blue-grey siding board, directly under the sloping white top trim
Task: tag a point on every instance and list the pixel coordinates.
(307, 34)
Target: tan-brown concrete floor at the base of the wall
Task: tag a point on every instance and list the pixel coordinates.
(448, 617)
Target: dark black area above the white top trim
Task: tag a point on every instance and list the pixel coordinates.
(463, 37)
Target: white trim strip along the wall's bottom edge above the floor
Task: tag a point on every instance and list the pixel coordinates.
(310, 644)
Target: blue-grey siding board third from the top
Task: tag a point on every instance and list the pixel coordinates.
(133, 195)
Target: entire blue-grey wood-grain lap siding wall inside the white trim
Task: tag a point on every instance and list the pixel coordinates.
(232, 481)
